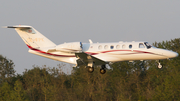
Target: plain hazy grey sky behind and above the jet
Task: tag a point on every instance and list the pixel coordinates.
(80, 20)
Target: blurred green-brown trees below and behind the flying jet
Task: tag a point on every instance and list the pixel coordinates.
(126, 81)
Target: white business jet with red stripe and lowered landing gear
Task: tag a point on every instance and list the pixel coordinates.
(90, 54)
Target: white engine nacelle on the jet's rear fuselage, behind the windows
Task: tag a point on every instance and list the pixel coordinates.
(72, 47)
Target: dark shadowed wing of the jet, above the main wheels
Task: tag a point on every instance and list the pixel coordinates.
(85, 58)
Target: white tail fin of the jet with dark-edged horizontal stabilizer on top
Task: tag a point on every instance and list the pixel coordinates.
(32, 38)
